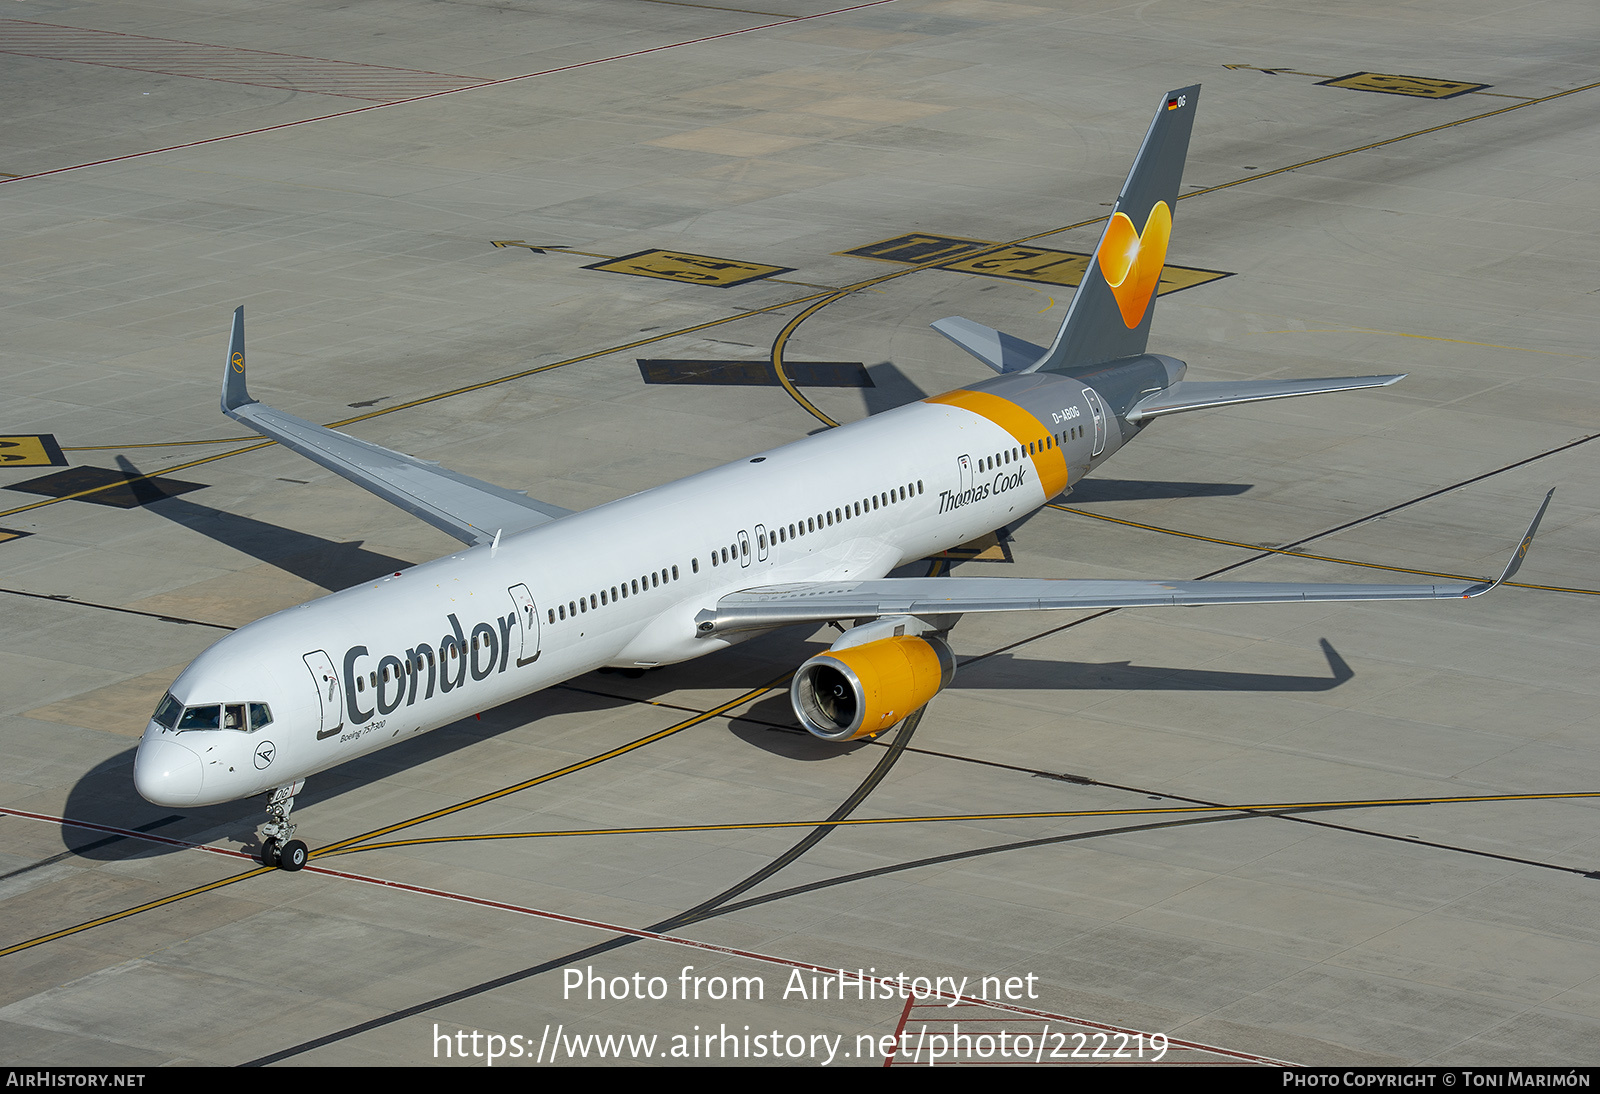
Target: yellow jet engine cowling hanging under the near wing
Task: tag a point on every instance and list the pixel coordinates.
(865, 690)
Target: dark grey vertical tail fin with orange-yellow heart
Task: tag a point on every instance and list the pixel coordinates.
(1111, 313)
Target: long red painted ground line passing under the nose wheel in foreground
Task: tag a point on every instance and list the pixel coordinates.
(674, 940)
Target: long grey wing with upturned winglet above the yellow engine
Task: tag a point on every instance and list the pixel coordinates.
(822, 602)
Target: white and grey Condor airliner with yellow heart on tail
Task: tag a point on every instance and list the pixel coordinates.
(799, 535)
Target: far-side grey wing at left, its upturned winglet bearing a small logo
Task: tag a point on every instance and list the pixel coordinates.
(471, 511)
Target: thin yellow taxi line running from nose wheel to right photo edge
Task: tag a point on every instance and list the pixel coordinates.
(1270, 807)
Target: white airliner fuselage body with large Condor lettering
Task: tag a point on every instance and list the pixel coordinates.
(614, 586)
